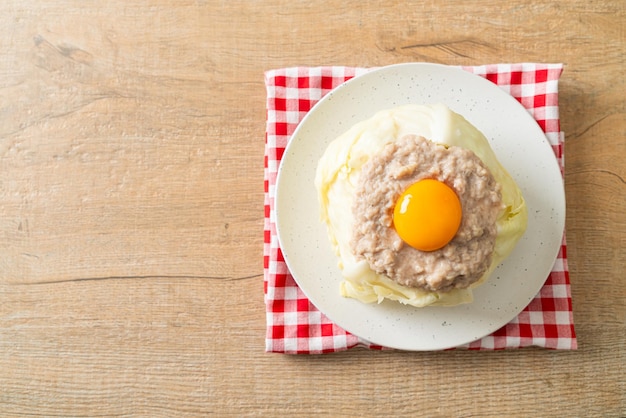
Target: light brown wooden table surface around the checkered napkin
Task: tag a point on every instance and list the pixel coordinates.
(131, 208)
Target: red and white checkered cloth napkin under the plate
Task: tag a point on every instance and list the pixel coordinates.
(294, 325)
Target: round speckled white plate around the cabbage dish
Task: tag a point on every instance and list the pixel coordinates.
(520, 146)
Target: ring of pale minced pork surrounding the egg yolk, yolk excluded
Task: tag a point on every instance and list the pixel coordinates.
(385, 176)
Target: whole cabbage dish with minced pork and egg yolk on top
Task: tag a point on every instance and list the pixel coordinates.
(417, 207)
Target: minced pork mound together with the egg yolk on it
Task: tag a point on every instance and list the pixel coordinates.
(425, 214)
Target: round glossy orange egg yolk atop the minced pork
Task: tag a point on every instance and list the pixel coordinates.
(427, 215)
